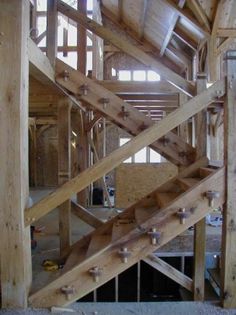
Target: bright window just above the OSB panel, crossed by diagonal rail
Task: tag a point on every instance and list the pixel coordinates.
(145, 155)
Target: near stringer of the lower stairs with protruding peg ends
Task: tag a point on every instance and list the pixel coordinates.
(137, 241)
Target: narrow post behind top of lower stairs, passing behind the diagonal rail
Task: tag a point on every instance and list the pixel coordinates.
(200, 227)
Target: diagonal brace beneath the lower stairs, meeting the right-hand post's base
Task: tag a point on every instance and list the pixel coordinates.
(169, 271)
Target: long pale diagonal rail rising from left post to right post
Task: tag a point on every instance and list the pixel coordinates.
(108, 163)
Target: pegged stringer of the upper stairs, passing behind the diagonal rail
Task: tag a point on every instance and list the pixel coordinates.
(135, 120)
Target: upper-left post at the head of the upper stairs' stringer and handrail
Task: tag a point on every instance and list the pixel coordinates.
(51, 50)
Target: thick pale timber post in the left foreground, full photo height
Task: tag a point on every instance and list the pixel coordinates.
(15, 268)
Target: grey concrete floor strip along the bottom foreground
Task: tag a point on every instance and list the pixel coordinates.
(162, 308)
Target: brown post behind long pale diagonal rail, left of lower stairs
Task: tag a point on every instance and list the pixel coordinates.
(64, 171)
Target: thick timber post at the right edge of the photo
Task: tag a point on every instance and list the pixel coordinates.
(229, 225)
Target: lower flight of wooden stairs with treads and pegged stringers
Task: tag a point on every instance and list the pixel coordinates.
(131, 236)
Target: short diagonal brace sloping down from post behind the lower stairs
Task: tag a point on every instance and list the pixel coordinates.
(85, 215)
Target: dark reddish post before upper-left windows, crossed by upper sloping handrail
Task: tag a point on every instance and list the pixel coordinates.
(82, 39)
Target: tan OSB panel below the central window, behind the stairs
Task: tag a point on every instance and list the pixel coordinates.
(134, 181)
